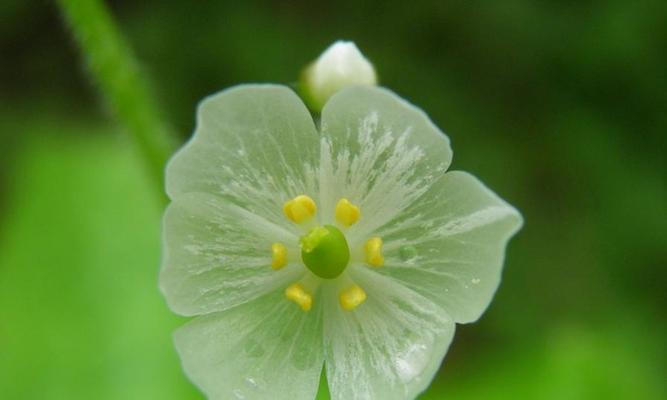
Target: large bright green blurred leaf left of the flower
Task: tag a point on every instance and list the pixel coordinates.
(81, 315)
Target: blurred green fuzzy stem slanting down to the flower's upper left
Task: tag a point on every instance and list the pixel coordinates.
(114, 69)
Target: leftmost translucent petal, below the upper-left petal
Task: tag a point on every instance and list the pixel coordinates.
(218, 255)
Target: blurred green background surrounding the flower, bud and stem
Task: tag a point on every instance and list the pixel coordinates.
(560, 107)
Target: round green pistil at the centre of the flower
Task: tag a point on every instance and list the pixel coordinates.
(325, 252)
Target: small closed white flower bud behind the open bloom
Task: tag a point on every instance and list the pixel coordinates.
(341, 65)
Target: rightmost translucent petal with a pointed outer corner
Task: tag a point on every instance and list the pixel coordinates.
(450, 244)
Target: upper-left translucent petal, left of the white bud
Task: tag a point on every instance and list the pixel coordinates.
(254, 145)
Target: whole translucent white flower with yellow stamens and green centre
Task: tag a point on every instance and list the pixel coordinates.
(345, 245)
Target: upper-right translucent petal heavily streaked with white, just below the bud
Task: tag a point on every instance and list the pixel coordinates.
(379, 152)
